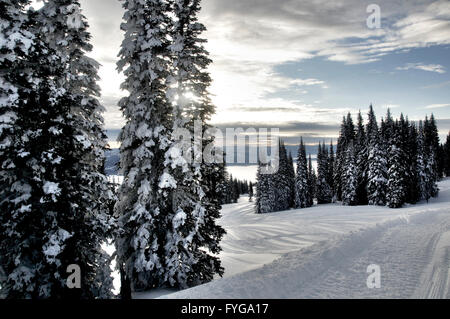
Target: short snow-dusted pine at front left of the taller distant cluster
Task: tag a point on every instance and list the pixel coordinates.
(350, 178)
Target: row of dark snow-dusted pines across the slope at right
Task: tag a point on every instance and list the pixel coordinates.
(390, 164)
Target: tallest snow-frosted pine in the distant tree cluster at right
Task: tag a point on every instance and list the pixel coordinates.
(377, 163)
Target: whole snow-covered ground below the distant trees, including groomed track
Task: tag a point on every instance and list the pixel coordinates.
(324, 252)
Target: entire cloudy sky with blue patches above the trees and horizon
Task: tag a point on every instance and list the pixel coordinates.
(301, 65)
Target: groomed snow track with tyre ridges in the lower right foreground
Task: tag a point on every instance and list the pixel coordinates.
(337, 268)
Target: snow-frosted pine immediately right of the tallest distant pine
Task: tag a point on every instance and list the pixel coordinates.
(396, 185)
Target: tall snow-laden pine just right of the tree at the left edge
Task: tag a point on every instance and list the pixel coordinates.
(79, 177)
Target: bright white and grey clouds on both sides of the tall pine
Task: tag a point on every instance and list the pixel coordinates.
(247, 39)
